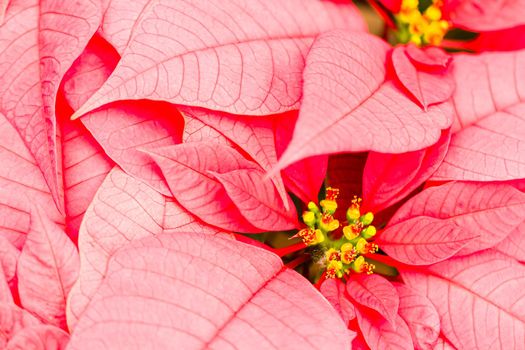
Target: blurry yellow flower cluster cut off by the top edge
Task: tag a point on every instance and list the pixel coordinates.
(421, 28)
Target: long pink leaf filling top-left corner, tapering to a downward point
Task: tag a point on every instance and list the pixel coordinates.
(39, 40)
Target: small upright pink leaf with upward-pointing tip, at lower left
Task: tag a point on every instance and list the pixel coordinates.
(47, 268)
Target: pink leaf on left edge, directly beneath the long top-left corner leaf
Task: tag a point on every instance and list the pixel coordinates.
(20, 180)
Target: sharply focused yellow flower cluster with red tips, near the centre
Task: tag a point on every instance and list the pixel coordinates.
(343, 251)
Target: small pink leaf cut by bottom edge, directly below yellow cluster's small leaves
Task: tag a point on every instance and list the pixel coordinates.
(380, 334)
